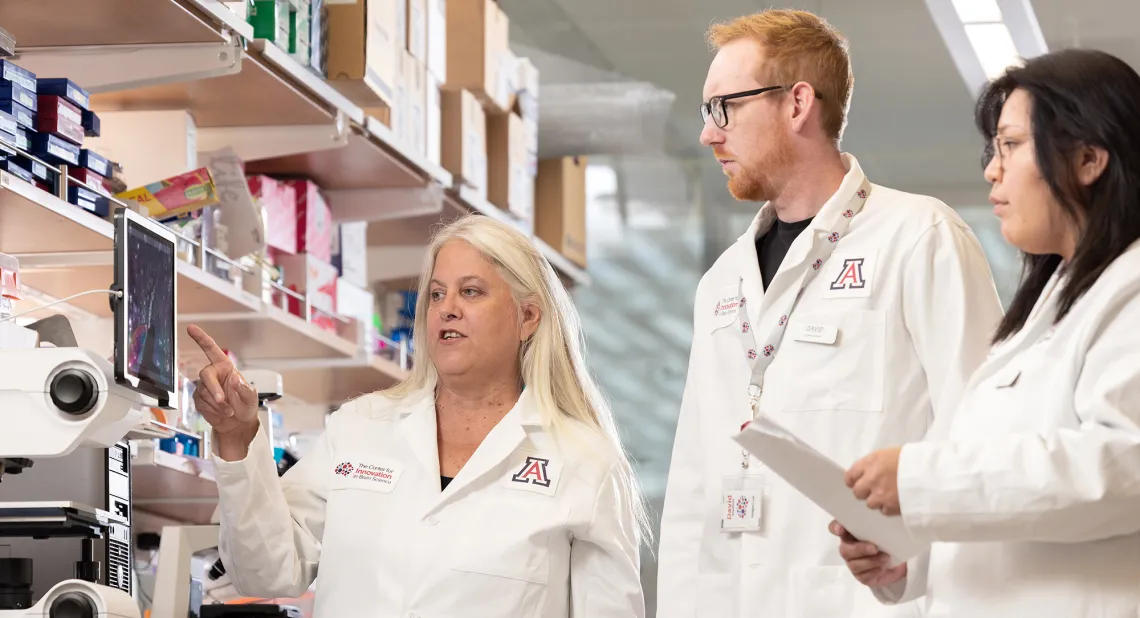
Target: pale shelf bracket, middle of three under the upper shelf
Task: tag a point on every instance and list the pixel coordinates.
(260, 143)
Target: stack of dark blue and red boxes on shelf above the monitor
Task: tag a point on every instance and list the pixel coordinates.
(50, 119)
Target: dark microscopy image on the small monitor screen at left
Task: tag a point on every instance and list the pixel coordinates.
(150, 307)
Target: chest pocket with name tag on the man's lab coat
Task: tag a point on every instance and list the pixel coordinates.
(841, 372)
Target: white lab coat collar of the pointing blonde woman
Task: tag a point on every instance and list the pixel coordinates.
(418, 425)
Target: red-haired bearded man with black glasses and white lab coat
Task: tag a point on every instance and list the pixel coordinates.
(849, 313)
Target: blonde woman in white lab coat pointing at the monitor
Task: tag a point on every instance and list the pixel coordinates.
(490, 484)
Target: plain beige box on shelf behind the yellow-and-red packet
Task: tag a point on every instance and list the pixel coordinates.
(170, 139)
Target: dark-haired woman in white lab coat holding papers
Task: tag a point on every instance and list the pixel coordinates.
(1031, 498)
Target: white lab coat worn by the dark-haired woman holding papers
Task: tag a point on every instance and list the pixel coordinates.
(1035, 499)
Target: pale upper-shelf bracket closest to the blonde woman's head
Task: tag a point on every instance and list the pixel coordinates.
(386, 205)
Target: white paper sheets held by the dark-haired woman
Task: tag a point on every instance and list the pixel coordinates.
(821, 481)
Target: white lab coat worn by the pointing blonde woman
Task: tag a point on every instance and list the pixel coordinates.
(535, 525)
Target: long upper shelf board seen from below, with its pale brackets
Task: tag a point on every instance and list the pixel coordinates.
(242, 93)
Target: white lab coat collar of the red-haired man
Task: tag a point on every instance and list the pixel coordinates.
(752, 286)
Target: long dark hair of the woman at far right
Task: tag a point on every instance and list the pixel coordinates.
(1079, 99)
